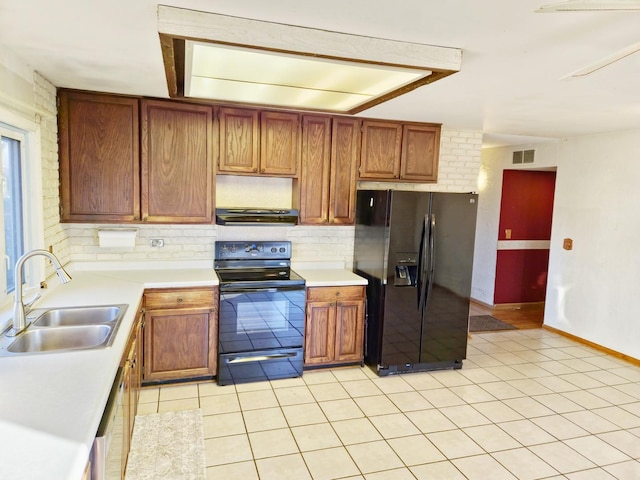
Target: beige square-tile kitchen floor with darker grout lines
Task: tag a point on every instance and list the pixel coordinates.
(527, 404)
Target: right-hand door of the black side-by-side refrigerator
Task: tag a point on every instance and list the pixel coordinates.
(446, 318)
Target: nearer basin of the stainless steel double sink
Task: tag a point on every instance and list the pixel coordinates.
(62, 338)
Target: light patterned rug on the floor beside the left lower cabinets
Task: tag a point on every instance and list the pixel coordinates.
(167, 446)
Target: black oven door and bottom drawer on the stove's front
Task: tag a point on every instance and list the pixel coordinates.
(260, 333)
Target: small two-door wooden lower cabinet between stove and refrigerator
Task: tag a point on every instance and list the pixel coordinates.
(335, 325)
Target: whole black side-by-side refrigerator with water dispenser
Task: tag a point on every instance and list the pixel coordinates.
(416, 251)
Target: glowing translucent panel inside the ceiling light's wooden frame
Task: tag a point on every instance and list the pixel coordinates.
(240, 74)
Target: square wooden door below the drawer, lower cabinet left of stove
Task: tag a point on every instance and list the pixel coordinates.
(177, 344)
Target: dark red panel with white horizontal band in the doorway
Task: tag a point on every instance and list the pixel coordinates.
(526, 211)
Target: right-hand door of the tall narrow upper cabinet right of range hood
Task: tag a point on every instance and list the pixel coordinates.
(345, 153)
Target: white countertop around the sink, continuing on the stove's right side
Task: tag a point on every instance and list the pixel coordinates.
(51, 404)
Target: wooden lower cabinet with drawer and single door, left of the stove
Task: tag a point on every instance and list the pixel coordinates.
(180, 334)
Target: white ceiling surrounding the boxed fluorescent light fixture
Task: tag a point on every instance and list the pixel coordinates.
(509, 88)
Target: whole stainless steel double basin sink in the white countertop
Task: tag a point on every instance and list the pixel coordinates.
(66, 329)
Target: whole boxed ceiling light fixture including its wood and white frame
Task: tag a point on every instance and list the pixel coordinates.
(240, 60)
